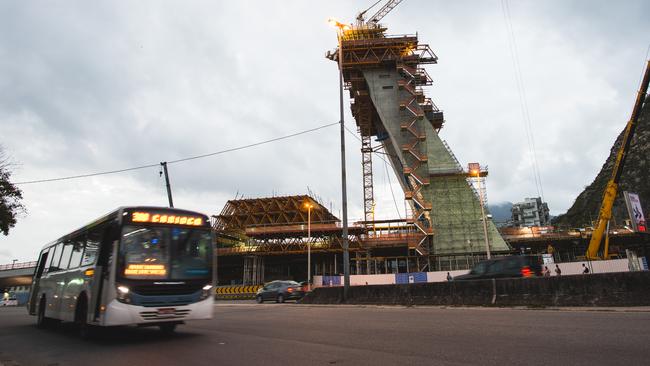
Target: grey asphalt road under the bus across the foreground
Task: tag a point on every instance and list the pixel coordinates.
(290, 334)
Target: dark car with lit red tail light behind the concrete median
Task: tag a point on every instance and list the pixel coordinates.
(503, 267)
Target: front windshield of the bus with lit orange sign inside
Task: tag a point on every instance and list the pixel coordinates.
(165, 253)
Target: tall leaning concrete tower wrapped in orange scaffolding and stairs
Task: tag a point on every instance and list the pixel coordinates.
(385, 80)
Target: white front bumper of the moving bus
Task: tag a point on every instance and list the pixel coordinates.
(118, 313)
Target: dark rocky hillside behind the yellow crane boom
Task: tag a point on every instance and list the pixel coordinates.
(635, 178)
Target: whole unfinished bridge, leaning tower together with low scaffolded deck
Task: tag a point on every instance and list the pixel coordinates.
(446, 218)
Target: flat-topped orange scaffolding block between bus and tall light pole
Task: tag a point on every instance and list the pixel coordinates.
(268, 238)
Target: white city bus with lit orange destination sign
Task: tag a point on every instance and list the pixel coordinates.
(134, 266)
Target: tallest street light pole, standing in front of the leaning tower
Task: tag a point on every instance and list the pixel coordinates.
(344, 236)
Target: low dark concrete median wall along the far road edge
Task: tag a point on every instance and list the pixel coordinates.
(607, 289)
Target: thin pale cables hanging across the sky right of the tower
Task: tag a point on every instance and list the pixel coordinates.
(528, 129)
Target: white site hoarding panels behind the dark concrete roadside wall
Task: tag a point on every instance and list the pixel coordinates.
(572, 268)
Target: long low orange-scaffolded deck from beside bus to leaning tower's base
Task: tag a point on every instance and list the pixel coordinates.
(263, 239)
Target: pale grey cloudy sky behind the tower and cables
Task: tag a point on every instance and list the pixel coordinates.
(94, 86)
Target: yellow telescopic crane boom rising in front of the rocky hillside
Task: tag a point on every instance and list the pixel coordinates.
(609, 195)
